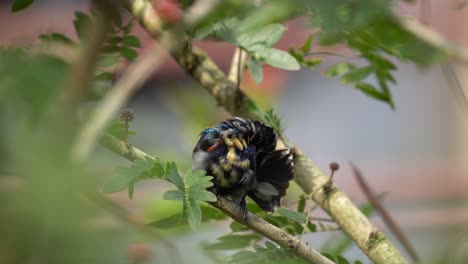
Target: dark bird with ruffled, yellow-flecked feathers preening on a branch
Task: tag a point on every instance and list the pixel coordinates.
(241, 155)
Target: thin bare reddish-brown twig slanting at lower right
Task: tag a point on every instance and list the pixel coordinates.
(374, 200)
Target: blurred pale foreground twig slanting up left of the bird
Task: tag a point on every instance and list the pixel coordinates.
(133, 78)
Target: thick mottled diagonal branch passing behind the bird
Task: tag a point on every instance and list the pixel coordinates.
(309, 177)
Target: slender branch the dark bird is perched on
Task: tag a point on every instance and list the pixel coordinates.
(252, 221)
